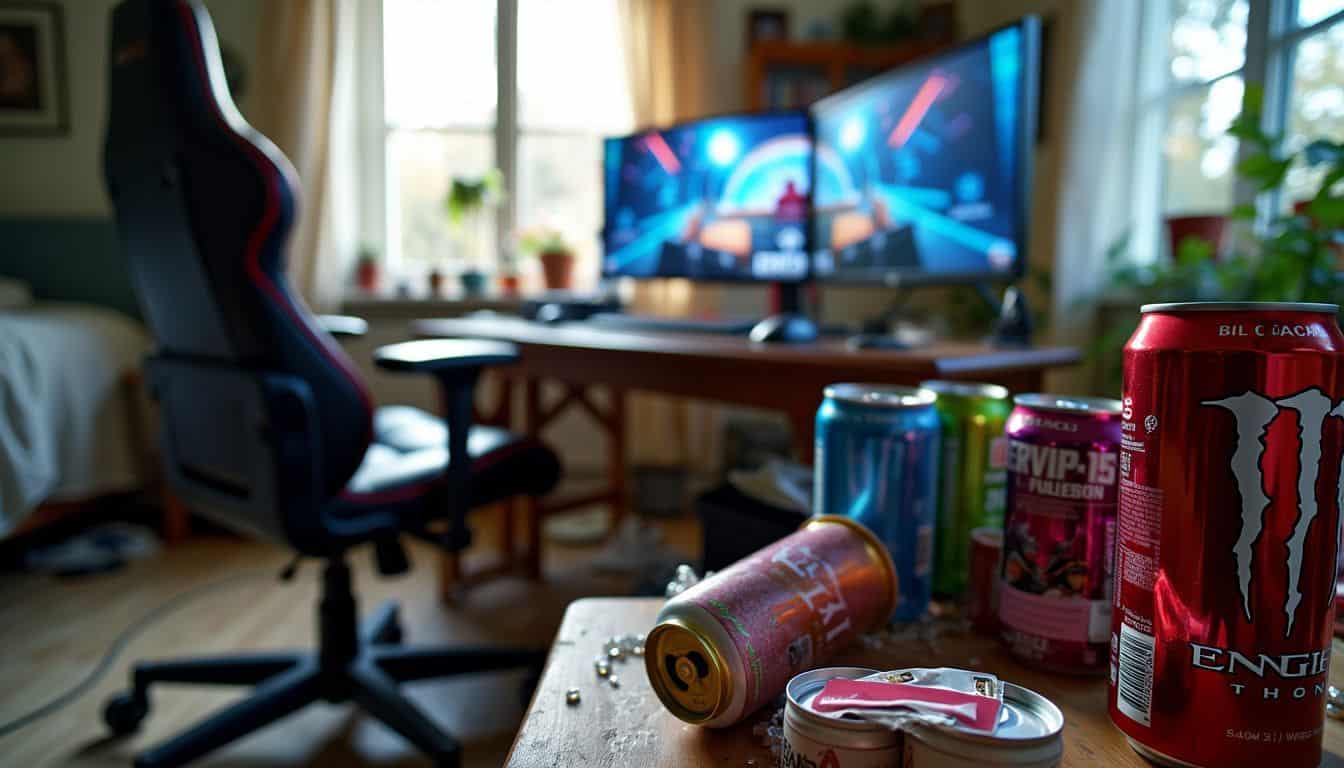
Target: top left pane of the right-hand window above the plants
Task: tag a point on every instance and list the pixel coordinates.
(1209, 38)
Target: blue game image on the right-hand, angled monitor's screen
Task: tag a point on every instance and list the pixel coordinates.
(920, 171)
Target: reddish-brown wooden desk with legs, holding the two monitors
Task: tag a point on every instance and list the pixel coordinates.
(708, 367)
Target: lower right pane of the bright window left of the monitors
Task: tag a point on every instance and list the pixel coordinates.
(561, 188)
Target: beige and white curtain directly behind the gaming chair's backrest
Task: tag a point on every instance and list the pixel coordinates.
(304, 103)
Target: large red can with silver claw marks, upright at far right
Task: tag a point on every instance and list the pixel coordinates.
(1228, 533)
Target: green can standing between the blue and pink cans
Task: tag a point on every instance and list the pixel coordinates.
(972, 474)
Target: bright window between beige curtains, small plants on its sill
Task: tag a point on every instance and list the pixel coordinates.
(446, 68)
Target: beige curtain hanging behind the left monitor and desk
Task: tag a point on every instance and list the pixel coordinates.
(669, 64)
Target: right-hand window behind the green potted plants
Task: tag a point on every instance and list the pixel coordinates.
(1198, 56)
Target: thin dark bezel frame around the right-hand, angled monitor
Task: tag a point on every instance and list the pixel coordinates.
(1029, 102)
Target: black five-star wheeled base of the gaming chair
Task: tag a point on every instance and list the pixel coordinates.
(286, 683)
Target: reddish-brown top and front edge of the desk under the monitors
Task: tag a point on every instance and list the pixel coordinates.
(730, 369)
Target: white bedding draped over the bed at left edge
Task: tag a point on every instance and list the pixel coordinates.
(65, 414)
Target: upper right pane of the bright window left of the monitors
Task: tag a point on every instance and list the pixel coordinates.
(571, 67)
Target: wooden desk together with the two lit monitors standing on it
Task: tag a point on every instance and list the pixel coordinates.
(849, 193)
